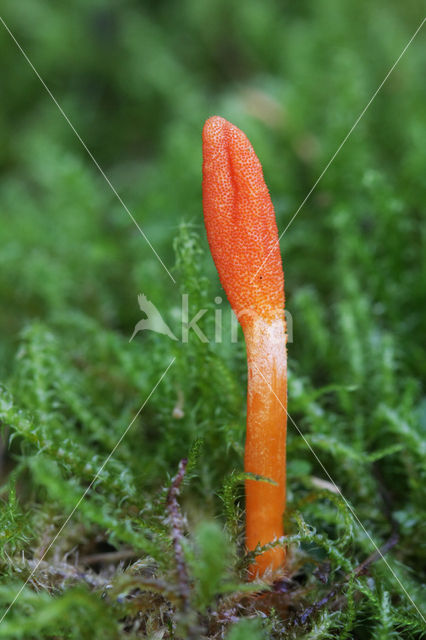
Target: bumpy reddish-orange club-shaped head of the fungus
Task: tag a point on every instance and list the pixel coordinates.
(240, 222)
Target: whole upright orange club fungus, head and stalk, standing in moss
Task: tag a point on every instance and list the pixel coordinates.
(242, 233)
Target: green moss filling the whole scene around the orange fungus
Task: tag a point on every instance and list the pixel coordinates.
(141, 557)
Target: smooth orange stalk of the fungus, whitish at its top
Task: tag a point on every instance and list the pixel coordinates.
(265, 450)
